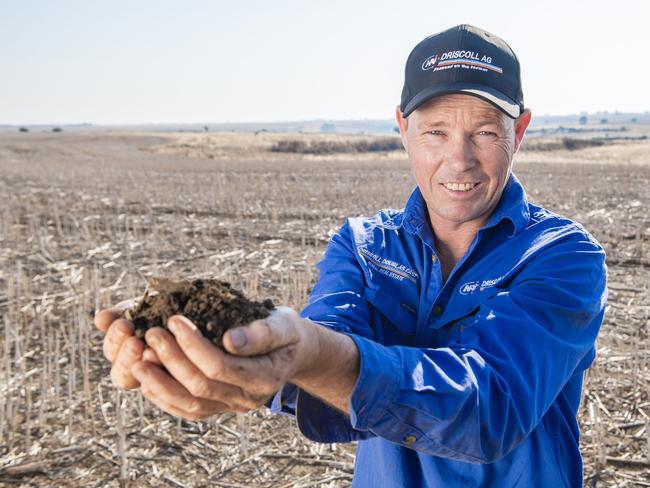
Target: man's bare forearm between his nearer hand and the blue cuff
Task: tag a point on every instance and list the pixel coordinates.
(332, 371)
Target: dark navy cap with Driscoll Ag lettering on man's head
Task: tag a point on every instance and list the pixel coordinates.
(463, 59)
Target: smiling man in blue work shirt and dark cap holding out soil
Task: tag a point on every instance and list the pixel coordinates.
(449, 338)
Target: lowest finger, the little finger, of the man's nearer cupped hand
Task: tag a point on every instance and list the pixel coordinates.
(169, 395)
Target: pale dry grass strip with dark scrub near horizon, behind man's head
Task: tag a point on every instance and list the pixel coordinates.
(328, 147)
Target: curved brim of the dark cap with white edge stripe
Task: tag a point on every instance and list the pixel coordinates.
(496, 98)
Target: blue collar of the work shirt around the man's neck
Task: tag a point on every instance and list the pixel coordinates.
(513, 207)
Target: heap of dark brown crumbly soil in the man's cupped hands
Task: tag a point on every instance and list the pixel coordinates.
(212, 305)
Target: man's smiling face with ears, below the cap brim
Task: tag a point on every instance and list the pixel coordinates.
(460, 149)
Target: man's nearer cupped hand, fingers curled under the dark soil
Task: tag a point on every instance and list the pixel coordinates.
(202, 379)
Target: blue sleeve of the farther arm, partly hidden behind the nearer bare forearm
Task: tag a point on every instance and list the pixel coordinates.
(336, 302)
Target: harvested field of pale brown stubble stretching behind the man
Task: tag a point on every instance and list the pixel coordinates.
(86, 219)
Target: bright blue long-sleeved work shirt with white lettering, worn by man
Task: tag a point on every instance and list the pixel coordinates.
(475, 381)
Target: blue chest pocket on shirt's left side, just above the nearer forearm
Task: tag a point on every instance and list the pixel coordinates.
(397, 318)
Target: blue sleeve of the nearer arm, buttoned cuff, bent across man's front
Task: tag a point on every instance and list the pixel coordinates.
(479, 398)
